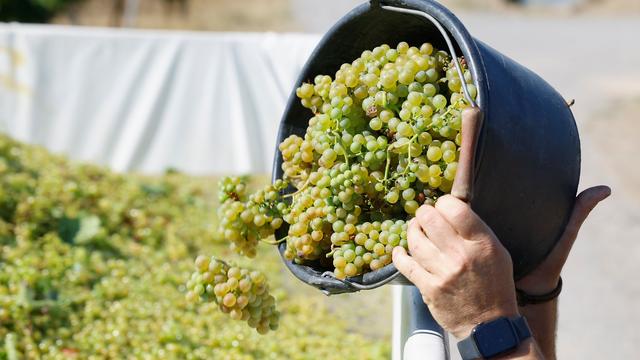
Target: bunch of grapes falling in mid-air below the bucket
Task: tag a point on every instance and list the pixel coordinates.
(241, 293)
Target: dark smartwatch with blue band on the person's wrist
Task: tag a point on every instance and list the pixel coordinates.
(494, 338)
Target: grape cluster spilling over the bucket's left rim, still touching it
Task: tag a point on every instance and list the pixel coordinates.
(244, 220)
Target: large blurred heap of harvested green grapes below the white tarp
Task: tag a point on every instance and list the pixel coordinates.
(93, 265)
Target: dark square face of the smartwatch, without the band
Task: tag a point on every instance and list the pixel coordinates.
(495, 337)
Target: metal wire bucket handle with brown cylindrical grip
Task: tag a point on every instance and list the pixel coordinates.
(471, 123)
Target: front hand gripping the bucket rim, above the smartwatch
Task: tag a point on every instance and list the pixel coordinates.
(463, 272)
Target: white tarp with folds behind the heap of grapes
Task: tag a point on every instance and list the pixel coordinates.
(204, 103)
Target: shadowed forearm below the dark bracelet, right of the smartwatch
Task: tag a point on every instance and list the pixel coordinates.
(542, 319)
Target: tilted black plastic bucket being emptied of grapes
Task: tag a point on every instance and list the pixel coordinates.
(527, 159)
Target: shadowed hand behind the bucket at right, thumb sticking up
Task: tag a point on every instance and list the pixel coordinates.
(546, 276)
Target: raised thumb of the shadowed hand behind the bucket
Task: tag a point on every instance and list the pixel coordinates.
(585, 202)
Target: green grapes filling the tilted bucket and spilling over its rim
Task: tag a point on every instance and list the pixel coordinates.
(382, 139)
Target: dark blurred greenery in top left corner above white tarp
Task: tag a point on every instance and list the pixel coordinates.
(32, 11)
